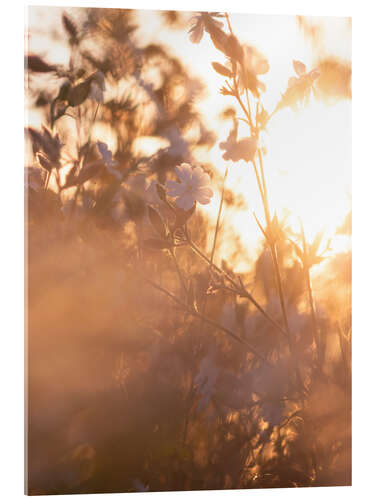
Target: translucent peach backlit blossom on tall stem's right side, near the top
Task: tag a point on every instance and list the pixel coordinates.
(253, 64)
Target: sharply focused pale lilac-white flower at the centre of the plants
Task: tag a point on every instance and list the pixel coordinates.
(193, 186)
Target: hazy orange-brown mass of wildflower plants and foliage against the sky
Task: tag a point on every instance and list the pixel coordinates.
(152, 367)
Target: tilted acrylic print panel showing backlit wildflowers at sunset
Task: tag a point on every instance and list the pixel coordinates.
(188, 187)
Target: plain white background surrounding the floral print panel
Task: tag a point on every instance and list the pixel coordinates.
(11, 210)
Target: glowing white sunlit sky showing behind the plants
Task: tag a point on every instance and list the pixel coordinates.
(308, 164)
